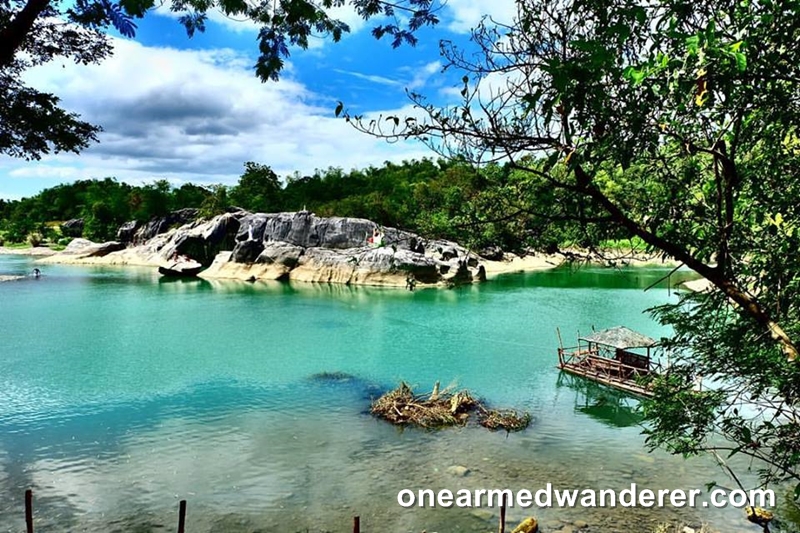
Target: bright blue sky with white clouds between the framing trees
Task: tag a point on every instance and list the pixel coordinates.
(191, 110)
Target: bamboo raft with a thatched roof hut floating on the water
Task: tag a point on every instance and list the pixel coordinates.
(618, 357)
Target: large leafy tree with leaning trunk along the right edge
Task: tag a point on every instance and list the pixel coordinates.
(676, 123)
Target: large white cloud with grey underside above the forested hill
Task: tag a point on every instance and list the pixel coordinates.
(196, 116)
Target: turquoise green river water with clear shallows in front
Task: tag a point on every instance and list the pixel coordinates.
(121, 393)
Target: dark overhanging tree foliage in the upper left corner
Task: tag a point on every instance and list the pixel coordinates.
(33, 32)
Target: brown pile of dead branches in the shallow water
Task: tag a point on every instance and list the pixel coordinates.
(438, 409)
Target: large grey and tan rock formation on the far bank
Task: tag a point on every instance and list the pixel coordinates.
(298, 246)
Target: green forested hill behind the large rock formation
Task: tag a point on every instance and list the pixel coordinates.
(438, 199)
